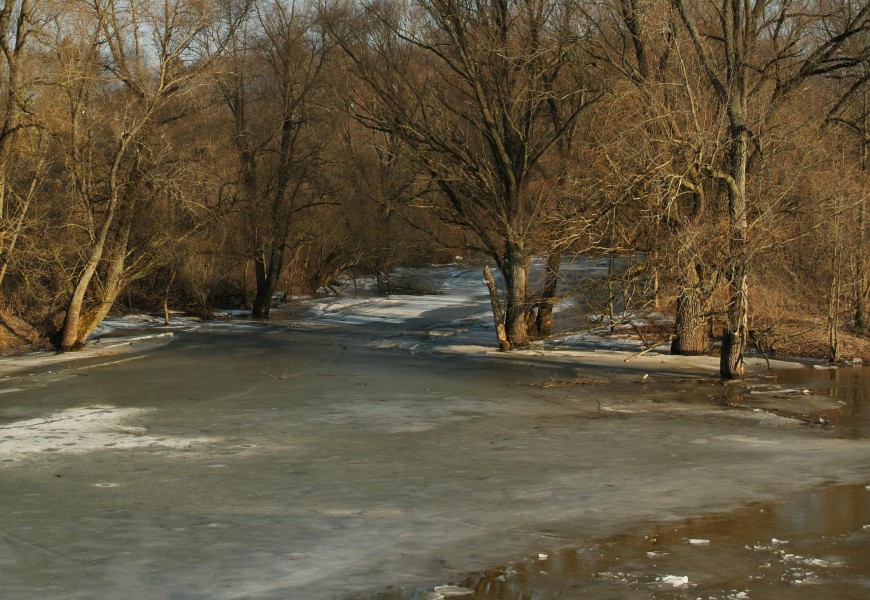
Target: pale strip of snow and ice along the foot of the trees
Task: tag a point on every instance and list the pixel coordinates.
(457, 320)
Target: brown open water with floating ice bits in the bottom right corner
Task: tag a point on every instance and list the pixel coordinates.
(812, 546)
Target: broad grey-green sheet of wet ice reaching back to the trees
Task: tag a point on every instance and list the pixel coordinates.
(360, 448)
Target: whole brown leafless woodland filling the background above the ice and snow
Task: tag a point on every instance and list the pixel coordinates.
(192, 152)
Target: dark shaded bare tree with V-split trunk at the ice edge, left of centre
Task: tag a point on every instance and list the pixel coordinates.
(272, 86)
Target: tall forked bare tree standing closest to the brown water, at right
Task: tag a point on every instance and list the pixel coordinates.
(754, 55)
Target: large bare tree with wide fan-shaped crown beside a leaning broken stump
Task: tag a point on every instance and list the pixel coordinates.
(467, 85)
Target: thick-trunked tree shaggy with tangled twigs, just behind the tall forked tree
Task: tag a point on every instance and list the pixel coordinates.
(655, 154)
